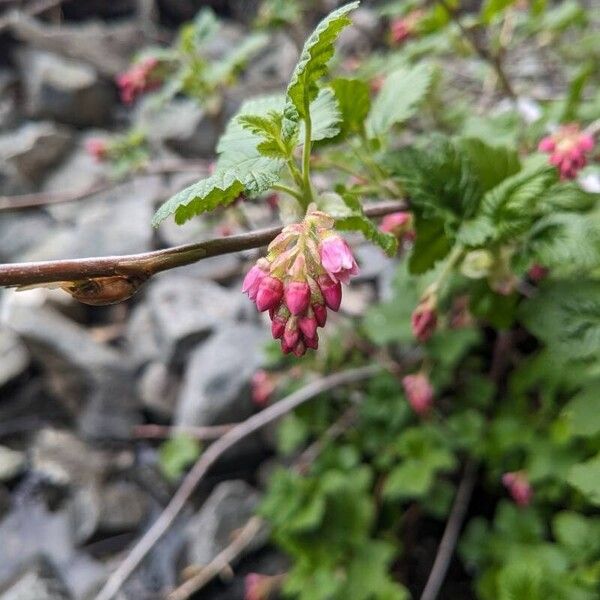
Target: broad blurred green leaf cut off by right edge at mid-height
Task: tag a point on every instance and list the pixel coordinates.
(566, 316)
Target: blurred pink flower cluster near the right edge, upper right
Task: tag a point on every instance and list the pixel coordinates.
(568, 147)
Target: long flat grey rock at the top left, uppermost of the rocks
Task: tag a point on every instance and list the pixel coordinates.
(105, 46)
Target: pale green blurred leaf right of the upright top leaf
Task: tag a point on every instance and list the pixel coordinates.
(399, 98)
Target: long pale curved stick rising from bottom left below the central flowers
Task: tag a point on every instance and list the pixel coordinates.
(208, 459)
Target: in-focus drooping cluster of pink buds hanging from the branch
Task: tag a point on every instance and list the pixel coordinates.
(300, 279)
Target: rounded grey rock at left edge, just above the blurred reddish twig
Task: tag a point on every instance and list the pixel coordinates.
(28, 152)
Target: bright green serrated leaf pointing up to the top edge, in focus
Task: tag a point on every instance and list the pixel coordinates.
(316, 54)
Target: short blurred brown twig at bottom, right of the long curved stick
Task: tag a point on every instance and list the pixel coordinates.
(221, 562)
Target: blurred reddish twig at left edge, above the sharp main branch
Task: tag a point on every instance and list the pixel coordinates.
(23, 201)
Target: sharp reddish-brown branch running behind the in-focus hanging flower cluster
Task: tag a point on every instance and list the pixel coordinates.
(149, 263)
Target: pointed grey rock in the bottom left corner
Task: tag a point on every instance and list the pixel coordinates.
(38, 581)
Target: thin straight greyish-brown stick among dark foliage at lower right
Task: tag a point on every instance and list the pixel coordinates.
(451, 532)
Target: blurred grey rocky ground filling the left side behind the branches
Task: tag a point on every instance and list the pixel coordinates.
(76, 486)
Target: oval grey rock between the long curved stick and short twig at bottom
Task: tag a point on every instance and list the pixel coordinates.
(226, 510)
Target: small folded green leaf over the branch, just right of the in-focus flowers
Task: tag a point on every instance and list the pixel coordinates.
(349, 216)
